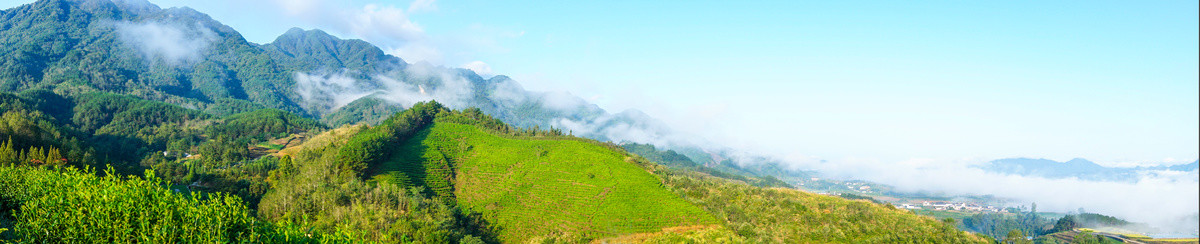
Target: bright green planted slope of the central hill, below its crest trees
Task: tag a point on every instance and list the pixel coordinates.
(531, 188)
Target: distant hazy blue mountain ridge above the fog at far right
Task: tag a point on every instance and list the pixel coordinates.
(1079, 169)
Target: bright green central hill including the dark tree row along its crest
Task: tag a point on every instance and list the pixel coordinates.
(554, 186)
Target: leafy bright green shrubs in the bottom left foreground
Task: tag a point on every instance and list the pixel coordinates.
(73, 206)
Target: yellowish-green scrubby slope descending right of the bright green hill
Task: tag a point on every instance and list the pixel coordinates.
(788, 216)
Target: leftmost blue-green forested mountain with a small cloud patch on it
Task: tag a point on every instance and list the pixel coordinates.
(177, 56)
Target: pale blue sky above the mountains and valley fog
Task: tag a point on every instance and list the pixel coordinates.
(1115, 82)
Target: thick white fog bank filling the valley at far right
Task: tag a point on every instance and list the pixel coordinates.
(1168, 201)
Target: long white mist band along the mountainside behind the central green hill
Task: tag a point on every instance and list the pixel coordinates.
(325, 93)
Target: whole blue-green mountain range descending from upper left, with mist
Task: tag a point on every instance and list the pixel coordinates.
(185, 58)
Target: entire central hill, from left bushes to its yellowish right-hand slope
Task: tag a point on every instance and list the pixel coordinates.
(538, 186)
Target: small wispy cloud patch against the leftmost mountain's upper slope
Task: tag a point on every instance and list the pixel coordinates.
(166, 43)
